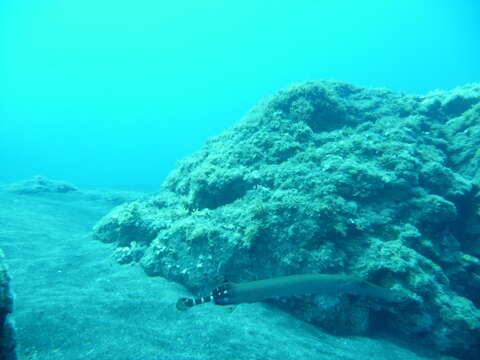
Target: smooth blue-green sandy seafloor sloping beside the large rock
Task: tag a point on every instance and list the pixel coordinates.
(73, 301)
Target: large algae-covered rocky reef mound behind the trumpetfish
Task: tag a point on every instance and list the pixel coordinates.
(327, 177)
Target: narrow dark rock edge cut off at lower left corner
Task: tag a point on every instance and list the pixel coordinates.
(7, 332)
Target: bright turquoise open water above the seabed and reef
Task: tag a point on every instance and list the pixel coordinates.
(113, 93)
